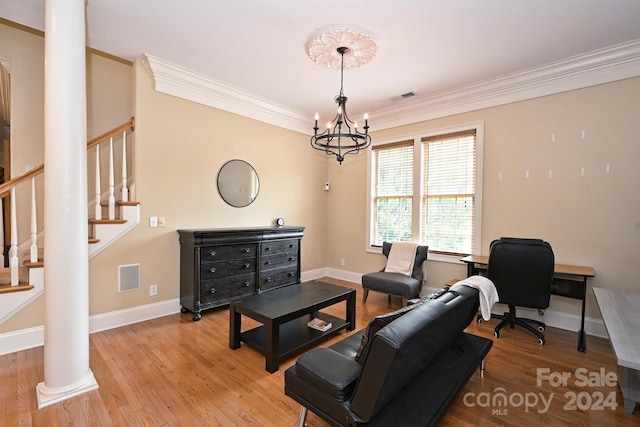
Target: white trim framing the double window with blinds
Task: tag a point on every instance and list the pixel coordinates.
(417, 185)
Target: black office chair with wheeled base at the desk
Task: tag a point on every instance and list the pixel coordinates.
(522, 271)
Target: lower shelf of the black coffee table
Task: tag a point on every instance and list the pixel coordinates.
(295, 335)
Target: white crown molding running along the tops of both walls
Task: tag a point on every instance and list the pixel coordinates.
(606, 65)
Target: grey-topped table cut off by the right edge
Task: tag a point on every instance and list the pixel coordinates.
(620, 315)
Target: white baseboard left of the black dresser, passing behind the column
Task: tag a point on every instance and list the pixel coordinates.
(23, 339)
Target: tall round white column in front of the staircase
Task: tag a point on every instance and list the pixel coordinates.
(66, 273)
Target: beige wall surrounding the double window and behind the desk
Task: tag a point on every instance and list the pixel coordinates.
(591, 220)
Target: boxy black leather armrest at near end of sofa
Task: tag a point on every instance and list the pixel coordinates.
(329, 371)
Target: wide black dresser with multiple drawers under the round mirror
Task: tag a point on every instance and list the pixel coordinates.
(221, 265)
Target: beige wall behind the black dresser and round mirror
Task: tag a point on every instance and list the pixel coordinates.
(179, 149)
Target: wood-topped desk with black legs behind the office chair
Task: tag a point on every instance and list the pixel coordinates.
(568, 281)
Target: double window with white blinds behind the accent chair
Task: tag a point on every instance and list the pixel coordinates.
(428, 189)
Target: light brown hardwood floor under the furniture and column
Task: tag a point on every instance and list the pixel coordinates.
(173, 371)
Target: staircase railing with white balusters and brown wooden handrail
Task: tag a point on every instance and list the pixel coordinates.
(9, 188)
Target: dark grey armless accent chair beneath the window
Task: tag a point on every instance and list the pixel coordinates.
(407, 287)
